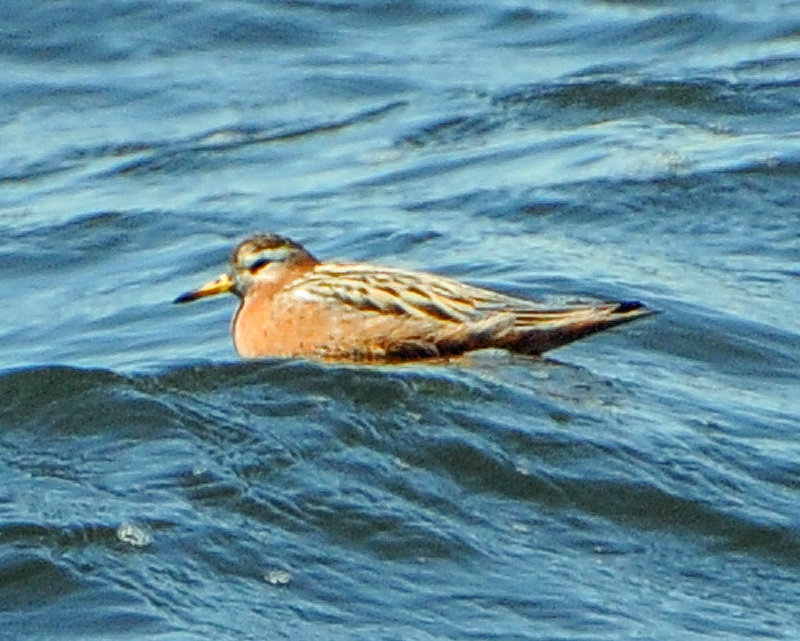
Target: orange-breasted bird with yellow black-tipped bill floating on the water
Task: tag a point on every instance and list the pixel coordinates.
(292, 305)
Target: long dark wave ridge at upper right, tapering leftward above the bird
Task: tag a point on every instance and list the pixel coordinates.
(583, 101)
